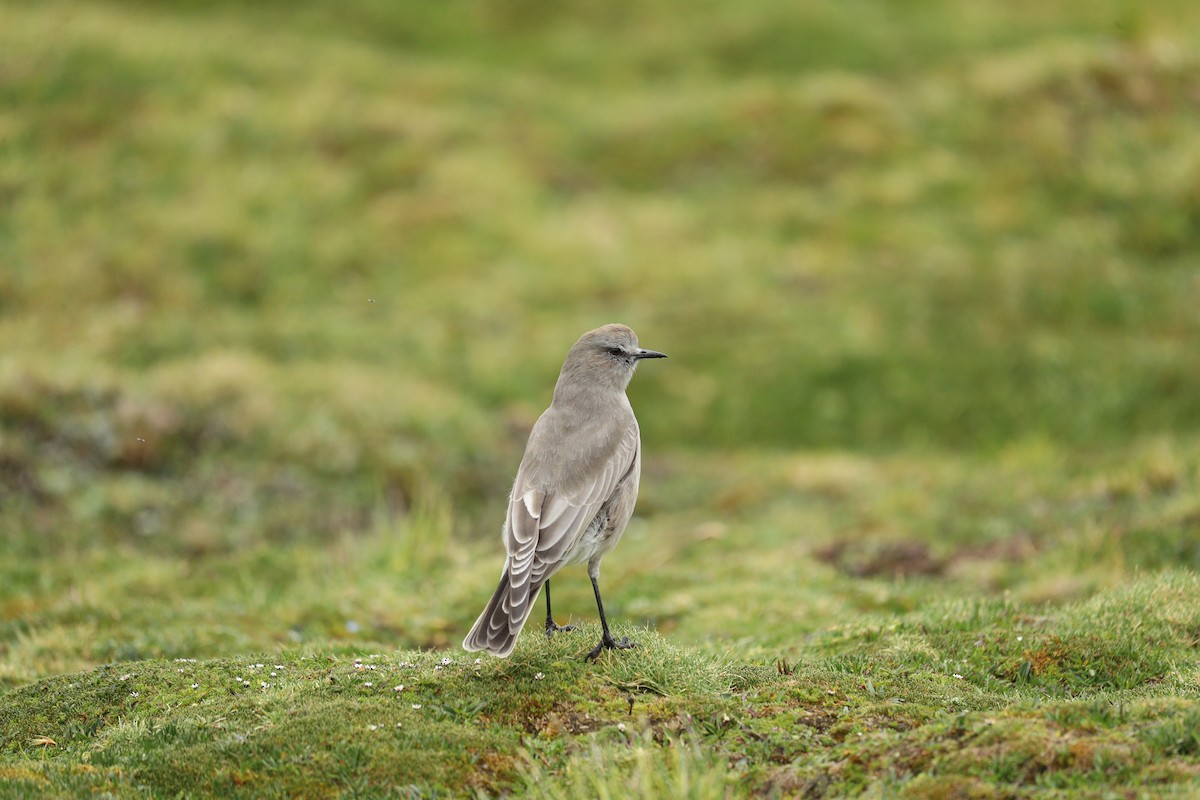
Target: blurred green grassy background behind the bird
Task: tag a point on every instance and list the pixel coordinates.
(284, 287)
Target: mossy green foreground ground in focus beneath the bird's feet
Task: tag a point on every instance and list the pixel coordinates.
(981, 695)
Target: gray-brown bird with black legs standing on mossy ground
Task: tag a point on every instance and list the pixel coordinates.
(575, 490)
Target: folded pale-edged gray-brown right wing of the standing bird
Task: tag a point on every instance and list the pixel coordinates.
(544, 527)
